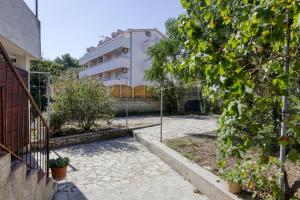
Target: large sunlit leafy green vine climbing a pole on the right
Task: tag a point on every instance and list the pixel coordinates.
(244, 48)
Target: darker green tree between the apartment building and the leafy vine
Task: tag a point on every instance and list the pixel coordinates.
(162, 54)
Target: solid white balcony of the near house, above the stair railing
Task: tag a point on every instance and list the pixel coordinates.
(20, 29)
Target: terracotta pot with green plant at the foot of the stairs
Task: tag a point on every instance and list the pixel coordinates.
(59, 167)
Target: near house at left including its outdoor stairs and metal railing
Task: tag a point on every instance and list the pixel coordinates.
(24, 133)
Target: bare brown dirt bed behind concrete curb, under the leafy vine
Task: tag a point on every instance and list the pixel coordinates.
(202, 149)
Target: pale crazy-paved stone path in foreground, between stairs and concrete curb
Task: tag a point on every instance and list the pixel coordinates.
(120, 169)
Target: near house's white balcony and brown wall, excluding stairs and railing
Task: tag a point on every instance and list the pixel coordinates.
(20, 39)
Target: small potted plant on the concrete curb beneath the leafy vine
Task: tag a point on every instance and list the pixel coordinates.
(234, 181)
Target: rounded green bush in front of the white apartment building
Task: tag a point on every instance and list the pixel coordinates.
(81, 100)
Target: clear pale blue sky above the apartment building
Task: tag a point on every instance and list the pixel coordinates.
(70, 26)
